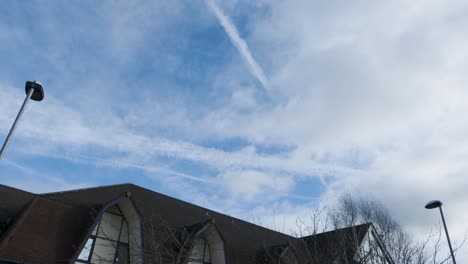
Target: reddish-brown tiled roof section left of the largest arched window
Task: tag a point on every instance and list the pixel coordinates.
(47, 231)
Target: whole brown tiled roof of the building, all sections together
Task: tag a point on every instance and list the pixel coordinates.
(53, 226)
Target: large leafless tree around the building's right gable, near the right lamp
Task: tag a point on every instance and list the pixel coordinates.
(346, 244)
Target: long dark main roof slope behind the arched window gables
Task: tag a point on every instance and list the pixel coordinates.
(243, 239)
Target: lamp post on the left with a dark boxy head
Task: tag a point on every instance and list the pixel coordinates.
(34, 91)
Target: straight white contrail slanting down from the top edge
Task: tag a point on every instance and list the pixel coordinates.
(238, 42)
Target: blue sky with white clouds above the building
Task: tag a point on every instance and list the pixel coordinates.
(258, 109)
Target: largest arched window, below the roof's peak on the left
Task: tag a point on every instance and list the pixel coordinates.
(108, 243)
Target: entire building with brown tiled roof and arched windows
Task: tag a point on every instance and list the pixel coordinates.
(129, 224)
